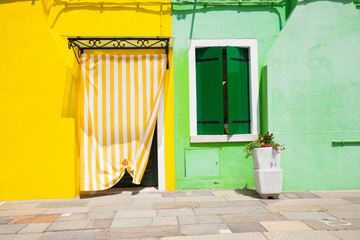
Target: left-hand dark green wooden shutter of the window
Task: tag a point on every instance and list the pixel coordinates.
(209, 96)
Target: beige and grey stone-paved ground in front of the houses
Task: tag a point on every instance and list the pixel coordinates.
(145, 213)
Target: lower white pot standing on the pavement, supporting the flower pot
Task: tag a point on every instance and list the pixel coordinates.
(268, 183)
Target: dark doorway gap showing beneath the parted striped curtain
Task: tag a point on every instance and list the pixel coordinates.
(150, 178)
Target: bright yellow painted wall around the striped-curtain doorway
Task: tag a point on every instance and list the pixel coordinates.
(38, 76)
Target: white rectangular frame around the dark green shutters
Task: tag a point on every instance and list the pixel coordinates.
(251, 44)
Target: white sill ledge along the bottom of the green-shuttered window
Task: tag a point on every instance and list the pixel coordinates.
(223, 138)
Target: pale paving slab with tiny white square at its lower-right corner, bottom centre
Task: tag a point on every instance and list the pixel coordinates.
(201, 229)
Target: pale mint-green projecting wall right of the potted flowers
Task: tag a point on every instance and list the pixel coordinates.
(313, 85)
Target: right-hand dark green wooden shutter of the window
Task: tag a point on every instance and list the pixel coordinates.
(238, 90)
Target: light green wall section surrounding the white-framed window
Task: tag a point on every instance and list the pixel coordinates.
(198, 22)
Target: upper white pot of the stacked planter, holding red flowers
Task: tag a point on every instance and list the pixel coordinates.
(266, 158)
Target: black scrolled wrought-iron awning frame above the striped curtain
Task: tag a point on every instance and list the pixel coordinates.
(79, 44)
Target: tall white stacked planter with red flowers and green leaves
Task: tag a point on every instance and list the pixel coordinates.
(267, 172)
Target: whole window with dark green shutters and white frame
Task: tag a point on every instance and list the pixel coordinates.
(223, 90)
